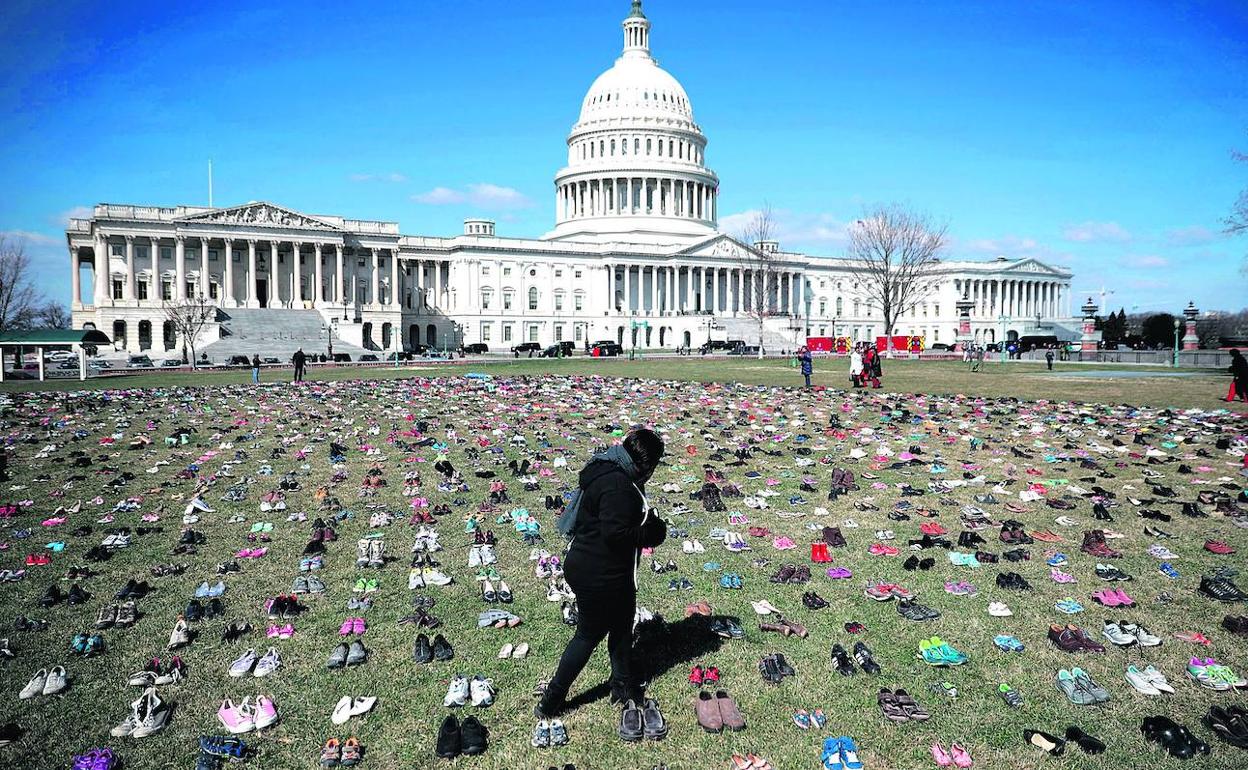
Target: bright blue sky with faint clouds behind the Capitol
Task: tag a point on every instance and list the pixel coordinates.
(1094, 135)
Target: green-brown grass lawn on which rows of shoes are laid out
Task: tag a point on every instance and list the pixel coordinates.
(572, 415)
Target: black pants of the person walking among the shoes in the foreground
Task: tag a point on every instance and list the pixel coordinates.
(601, 616)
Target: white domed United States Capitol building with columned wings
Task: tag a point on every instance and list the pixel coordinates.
(636, 256)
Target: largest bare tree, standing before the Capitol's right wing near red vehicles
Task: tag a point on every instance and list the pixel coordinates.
(898, 251)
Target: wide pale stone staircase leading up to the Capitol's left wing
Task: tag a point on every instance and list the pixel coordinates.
(274, 333)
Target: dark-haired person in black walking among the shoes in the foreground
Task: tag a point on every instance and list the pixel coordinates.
(613, 525)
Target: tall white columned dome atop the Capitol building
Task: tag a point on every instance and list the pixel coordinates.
(636, 158)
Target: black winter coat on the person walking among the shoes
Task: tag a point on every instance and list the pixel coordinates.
(612, 530)
